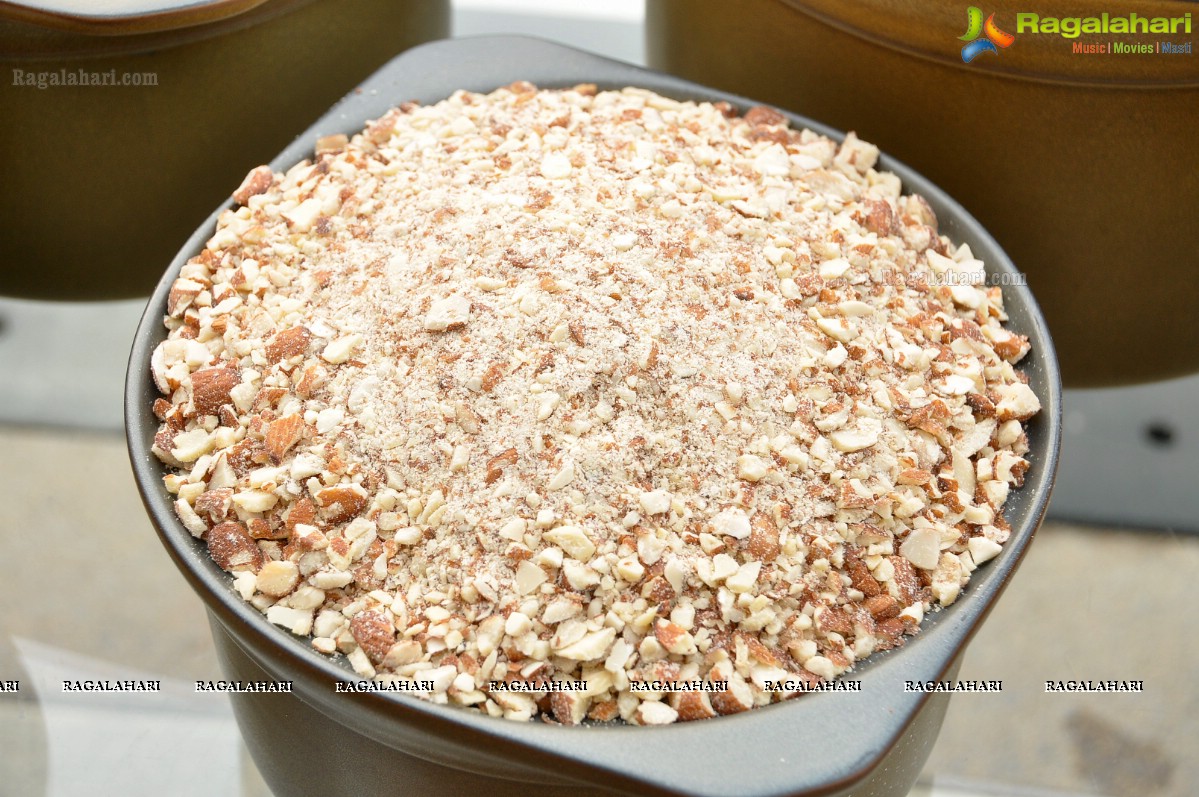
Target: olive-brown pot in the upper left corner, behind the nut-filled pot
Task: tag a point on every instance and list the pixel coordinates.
(103, 183)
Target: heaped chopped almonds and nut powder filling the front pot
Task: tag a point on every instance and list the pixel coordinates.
(591, 387)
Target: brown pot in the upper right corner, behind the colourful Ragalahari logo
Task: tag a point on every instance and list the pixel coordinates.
(1082, 166)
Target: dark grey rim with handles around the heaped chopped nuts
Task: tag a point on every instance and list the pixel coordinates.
(832, 740)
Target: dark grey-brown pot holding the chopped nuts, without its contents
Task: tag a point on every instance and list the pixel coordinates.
(317, 741)
